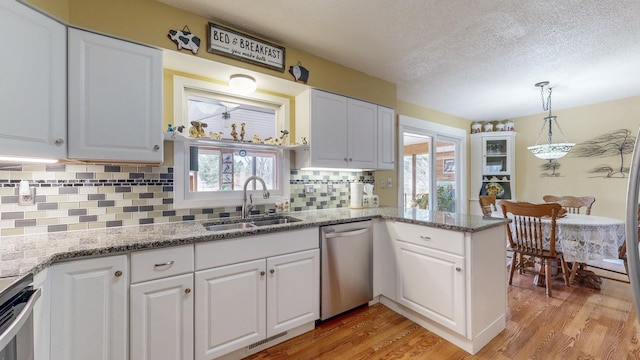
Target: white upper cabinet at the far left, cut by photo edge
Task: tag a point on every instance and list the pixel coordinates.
(33, 85)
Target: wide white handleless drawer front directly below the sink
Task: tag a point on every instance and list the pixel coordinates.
(236, 250)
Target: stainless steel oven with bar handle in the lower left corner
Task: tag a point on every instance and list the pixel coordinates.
(16, 320)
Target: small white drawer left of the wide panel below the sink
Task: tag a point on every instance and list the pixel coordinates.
(160, 263)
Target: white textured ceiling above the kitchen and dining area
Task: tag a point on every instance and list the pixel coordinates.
(476, 59)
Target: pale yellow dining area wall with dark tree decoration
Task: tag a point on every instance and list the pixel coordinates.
(579, 125)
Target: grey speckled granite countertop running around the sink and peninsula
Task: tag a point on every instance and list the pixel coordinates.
(29, 254)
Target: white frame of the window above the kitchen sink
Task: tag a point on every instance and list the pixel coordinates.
(183, 198)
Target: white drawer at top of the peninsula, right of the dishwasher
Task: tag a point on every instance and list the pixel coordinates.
(439, 239)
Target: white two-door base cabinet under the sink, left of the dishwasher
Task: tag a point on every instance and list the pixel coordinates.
(243, 303)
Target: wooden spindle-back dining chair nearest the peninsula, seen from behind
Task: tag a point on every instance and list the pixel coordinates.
(526, 235)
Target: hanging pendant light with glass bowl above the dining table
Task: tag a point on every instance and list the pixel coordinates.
(550, 150)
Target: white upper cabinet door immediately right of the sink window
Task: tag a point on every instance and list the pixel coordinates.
(328, 130)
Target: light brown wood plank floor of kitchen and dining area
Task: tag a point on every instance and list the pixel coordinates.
(576, 323)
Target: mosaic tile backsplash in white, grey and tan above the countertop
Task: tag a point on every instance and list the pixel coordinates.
(85, 196)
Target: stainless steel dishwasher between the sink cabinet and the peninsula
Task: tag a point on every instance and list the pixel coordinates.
(347, 267)
